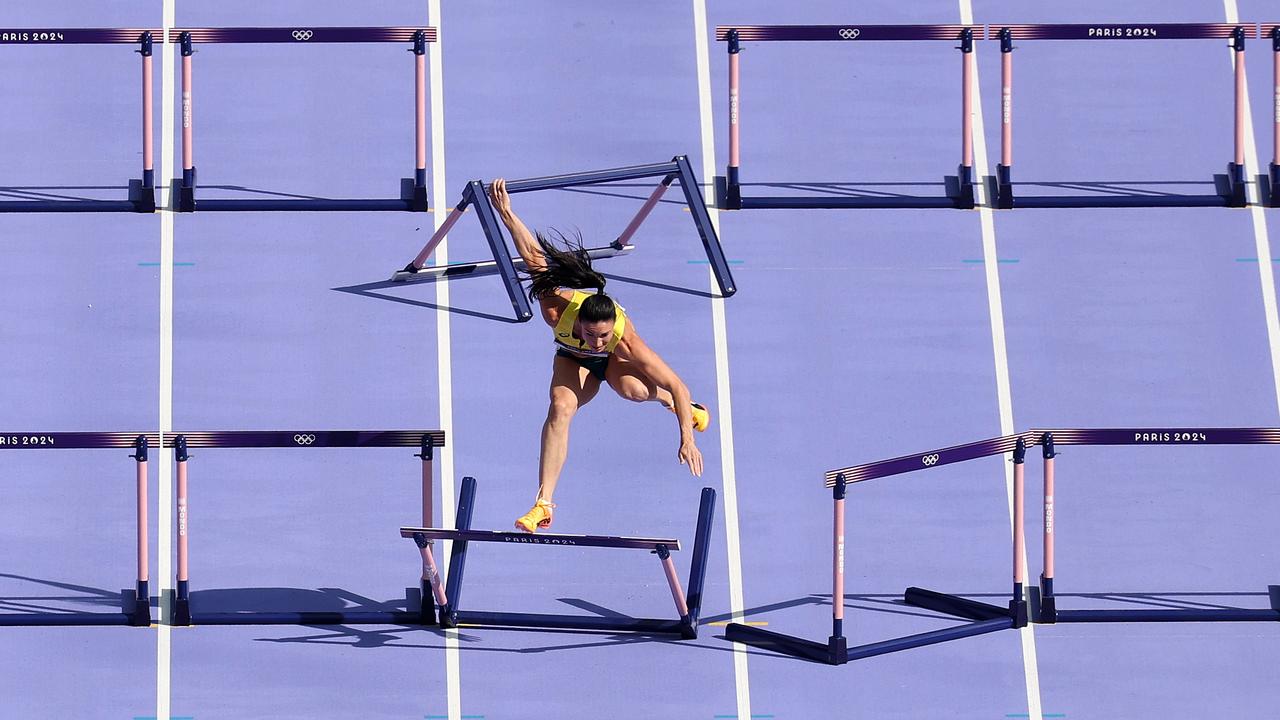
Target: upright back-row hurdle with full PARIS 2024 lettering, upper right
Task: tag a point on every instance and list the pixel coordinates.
(1229, 188)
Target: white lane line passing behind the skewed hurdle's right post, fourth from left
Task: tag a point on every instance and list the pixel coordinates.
(1004, 393)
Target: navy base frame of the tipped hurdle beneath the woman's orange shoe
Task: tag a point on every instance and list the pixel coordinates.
(452, 616)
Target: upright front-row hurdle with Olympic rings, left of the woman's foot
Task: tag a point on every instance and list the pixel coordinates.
(184, 613)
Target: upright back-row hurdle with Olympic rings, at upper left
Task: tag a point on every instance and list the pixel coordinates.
(413, 190)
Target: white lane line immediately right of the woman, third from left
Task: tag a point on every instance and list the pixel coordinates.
(725, 408)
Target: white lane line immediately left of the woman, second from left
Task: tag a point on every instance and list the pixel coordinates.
(444, 350)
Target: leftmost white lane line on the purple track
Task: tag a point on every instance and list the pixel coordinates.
(164, 500)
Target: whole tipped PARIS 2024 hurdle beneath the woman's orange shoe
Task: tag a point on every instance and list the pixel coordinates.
(449, 596)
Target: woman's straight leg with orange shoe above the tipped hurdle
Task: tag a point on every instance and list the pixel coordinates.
(573, 388)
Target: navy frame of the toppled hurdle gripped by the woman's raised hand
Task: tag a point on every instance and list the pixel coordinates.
(678, 168)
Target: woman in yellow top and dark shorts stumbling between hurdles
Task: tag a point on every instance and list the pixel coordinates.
(595, 341)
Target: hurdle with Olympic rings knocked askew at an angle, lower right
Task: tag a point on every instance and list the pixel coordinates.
(984, 618)
